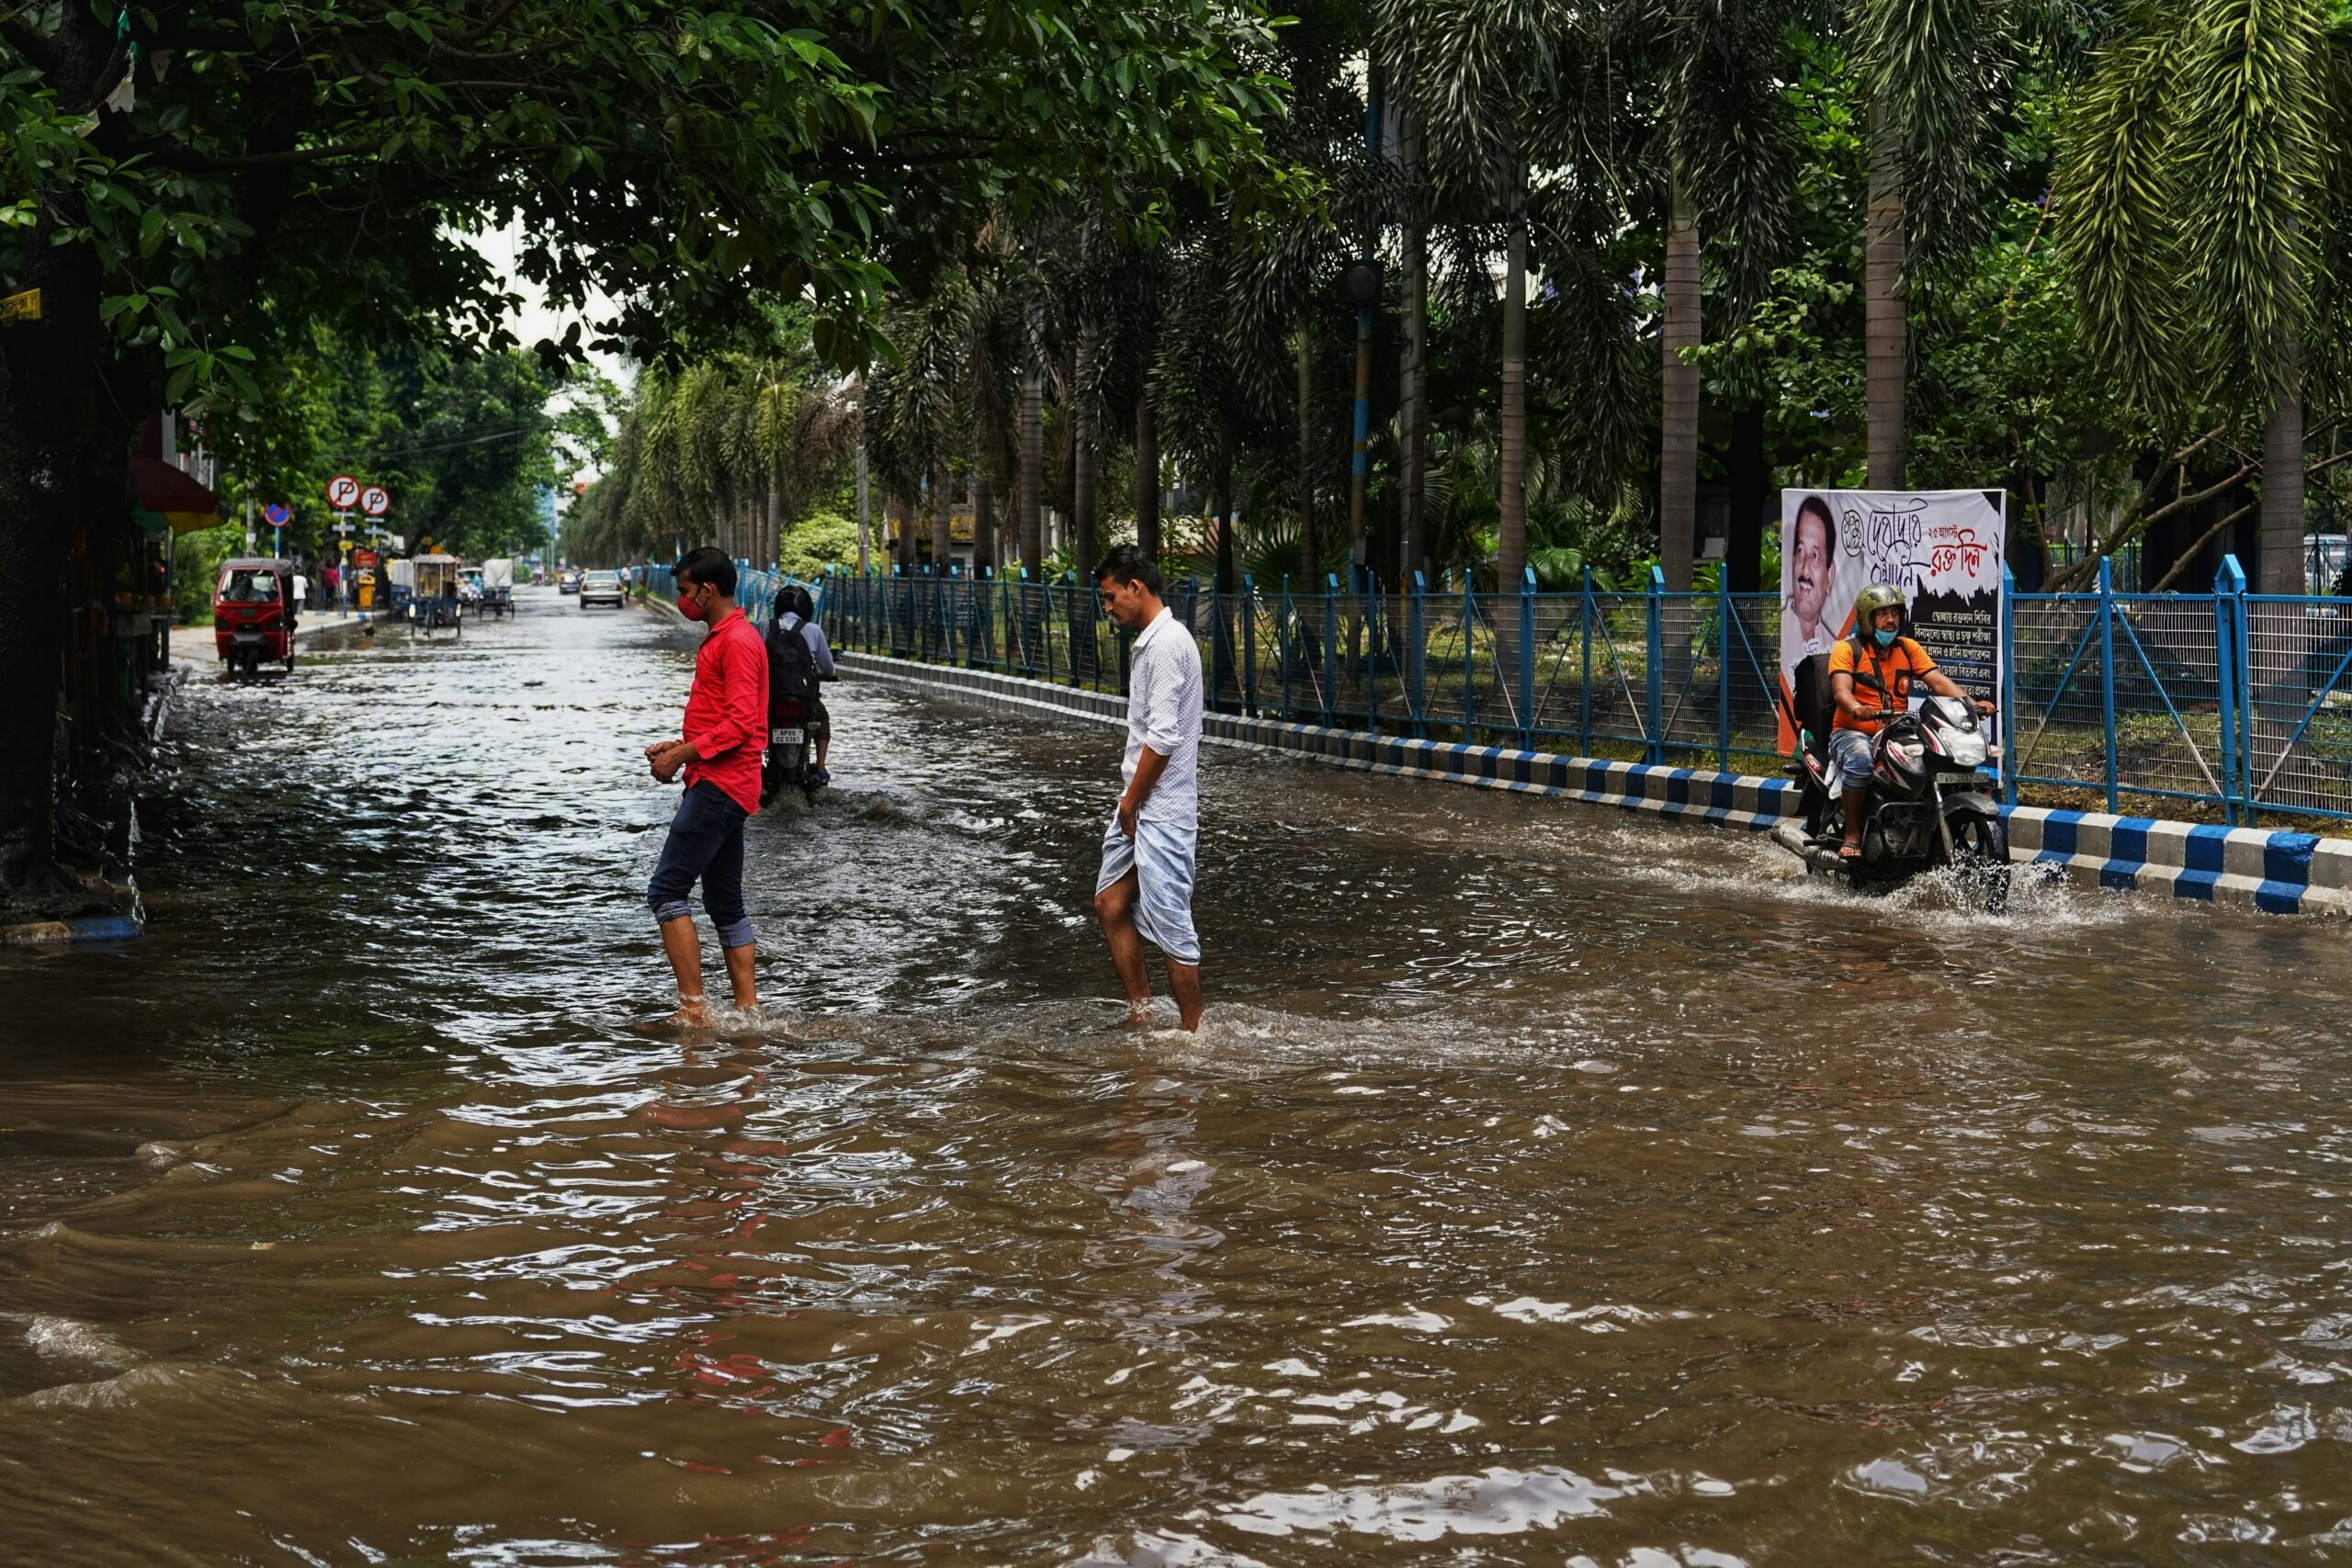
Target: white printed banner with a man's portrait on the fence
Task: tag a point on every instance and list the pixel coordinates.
(1942, 549)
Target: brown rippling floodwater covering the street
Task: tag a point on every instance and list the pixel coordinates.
(1549, 1188)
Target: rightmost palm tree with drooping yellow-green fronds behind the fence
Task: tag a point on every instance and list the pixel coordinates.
(2203, 208)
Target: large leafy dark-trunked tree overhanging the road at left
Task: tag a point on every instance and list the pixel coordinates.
(326, 159)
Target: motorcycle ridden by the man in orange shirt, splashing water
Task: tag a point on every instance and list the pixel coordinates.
(1927, 808)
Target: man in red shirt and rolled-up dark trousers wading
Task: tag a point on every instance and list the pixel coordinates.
(721, 756)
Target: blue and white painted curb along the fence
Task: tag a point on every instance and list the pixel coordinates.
(2280, 873)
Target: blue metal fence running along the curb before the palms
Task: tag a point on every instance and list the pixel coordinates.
(2233, 702)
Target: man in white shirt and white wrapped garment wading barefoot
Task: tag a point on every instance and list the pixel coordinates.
(1151, 845)
